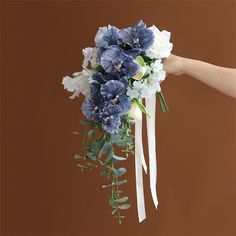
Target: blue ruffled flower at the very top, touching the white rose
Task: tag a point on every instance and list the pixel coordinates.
(137, 37)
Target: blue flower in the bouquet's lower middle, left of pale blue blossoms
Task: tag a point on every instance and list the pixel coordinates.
(114, 93)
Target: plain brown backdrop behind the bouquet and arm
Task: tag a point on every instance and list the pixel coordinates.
(43, 192)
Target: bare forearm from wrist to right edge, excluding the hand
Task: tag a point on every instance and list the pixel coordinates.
(220, 78)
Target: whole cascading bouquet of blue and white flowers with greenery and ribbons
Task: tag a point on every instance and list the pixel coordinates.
(123, 69)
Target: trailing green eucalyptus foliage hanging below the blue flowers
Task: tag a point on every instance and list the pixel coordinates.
(98, 150)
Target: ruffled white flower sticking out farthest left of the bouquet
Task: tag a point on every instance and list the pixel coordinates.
(78, 84)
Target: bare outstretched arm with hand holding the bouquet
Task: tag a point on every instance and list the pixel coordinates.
(221, 78)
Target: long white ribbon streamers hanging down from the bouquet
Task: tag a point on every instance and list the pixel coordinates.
(140, 160)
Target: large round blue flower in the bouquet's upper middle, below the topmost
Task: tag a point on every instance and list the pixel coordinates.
(116, 62)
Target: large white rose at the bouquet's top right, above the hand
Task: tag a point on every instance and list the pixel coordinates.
(161, 47)
